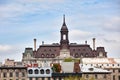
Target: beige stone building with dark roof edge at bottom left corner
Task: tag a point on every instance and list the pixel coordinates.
(13, 73)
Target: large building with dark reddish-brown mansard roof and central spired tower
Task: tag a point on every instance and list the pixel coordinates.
(59, 51)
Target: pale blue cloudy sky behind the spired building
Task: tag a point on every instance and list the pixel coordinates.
(23, 20)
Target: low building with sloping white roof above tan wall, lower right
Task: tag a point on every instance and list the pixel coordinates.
(89, 72)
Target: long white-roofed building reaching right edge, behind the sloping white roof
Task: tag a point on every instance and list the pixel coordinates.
(110, 64)
